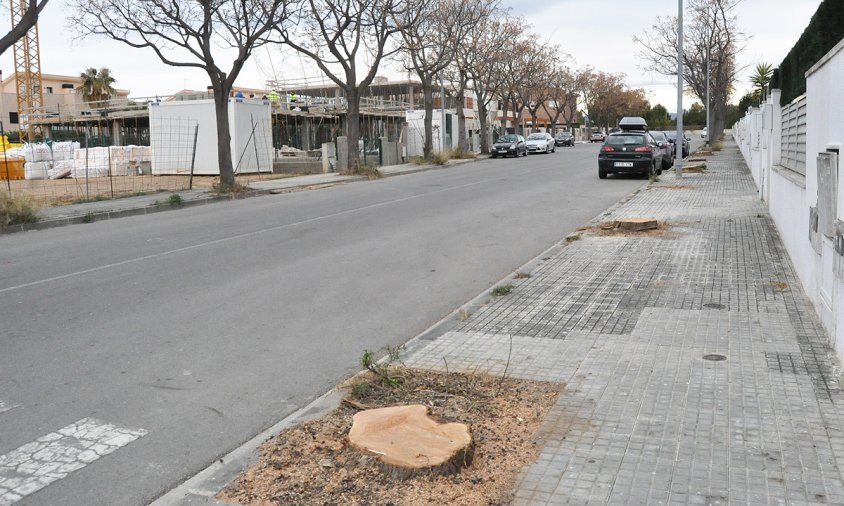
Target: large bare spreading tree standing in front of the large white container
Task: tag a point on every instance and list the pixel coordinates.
(184, 33)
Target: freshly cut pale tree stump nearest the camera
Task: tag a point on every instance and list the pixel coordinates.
(407, 442)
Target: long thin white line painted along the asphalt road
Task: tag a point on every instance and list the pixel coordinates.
(234, 237)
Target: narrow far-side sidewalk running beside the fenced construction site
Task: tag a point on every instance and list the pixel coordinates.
(143, 204)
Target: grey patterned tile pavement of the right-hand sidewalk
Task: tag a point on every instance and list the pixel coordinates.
(630, 325)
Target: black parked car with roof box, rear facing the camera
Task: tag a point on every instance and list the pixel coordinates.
(633, 150)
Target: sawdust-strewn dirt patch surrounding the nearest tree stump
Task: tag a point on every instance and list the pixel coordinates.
(313, 463)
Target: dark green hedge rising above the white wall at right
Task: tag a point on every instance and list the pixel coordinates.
(825, 30)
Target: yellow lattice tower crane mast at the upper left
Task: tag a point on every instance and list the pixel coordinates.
(27, 55)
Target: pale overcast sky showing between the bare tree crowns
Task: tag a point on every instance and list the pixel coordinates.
(597, 33)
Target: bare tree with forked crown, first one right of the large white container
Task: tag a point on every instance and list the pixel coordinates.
(337, 35)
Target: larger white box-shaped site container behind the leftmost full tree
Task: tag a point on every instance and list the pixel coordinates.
(172, 127)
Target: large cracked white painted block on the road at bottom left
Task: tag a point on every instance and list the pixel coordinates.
(35, 465)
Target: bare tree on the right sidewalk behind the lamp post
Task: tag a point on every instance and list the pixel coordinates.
(710, 35)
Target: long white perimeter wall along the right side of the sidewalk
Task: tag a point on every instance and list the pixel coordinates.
(790, 195)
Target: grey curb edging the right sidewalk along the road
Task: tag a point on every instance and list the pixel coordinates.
(203, 486)
